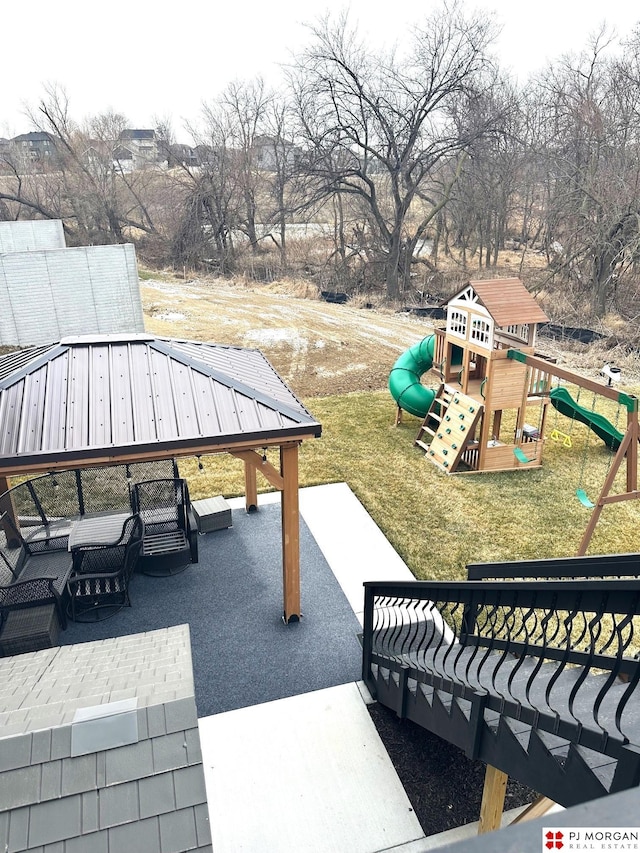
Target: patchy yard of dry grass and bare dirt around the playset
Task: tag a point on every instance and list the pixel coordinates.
(337, 360)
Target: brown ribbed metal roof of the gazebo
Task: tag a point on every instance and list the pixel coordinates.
(116, 395)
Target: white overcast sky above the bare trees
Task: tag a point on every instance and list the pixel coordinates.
(159, 60)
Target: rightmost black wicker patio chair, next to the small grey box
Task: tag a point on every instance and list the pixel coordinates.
(170, 541)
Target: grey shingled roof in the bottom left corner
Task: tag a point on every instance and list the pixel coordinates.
(145, 795)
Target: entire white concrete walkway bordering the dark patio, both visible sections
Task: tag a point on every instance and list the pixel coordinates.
(309, 773)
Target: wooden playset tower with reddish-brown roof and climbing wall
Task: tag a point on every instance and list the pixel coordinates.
(480, 418)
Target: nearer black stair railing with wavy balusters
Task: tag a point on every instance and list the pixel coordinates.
(560, 656)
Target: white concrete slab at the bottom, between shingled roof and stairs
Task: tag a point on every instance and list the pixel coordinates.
(307, 773)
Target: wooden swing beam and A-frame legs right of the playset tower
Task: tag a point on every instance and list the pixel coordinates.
(626, 447)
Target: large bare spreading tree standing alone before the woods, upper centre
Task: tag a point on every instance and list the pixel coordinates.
(391, 132)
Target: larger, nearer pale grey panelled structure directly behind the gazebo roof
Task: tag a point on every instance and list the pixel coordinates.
(50, 294)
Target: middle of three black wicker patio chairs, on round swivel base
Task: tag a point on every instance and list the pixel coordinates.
(99, 585)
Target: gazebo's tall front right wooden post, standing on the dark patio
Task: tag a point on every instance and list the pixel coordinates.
(290, 532)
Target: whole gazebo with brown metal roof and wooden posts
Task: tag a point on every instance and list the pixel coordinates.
(124, 399)
